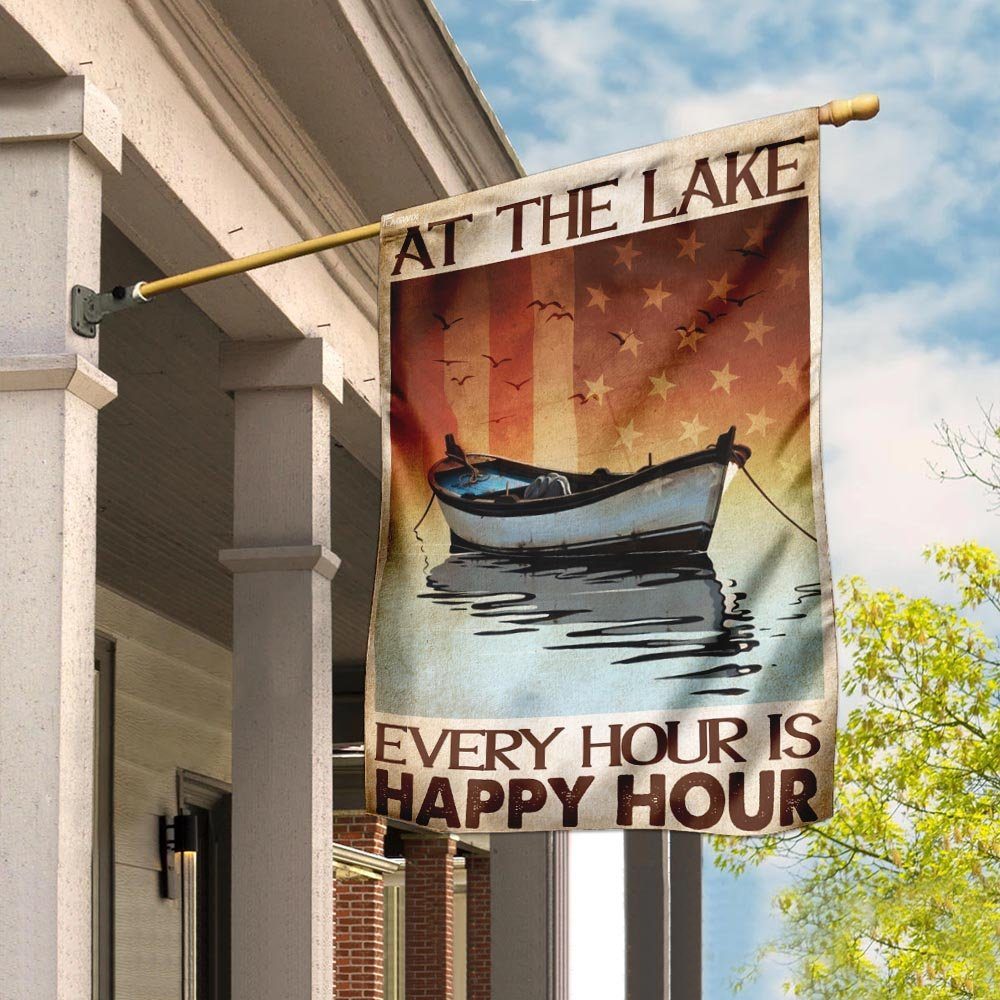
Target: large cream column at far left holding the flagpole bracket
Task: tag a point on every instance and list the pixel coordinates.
(57, 138)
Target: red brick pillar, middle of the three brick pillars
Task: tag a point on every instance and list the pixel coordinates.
(430, 916)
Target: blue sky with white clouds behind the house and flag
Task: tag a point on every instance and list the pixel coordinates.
(910, 246)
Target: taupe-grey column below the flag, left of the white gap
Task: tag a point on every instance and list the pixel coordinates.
(529, 919)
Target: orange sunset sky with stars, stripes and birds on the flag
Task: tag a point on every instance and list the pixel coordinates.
(607, 353)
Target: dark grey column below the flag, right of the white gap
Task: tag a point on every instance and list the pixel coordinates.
(662, 915)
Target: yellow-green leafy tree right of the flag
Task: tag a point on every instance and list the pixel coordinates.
(898, 895)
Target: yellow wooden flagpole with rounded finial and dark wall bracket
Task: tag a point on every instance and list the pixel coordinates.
(90, 307)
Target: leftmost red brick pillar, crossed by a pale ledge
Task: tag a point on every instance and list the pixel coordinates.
(358, 908)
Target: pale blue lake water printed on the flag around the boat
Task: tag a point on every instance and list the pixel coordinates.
(482, 636)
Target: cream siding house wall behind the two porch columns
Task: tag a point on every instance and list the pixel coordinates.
(172, 711)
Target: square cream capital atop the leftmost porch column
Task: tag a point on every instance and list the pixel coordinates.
(68, 108)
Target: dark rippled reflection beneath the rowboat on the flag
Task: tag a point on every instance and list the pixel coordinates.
(638, 607)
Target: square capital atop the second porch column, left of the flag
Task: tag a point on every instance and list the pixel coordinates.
(282, 364)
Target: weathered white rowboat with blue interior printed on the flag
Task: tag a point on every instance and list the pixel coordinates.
(499, 505)
